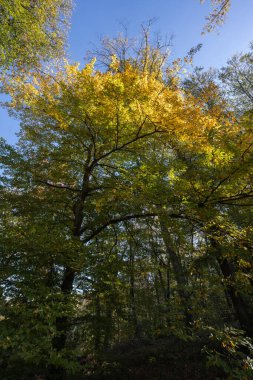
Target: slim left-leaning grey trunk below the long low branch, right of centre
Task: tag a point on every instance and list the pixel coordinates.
(178, 269)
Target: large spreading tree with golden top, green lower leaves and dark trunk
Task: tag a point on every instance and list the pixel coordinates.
(122, 205)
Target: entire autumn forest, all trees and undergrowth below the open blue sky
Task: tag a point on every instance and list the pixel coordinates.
(126, 234)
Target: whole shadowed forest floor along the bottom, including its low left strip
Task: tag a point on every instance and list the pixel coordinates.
(145, 359)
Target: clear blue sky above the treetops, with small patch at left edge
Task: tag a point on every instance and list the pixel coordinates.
(184, 19)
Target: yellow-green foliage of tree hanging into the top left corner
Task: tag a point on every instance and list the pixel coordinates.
(32, 31)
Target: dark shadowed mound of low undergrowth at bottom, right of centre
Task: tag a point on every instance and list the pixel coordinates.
(161, 359)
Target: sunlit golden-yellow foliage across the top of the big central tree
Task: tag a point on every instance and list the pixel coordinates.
(126, 103)
